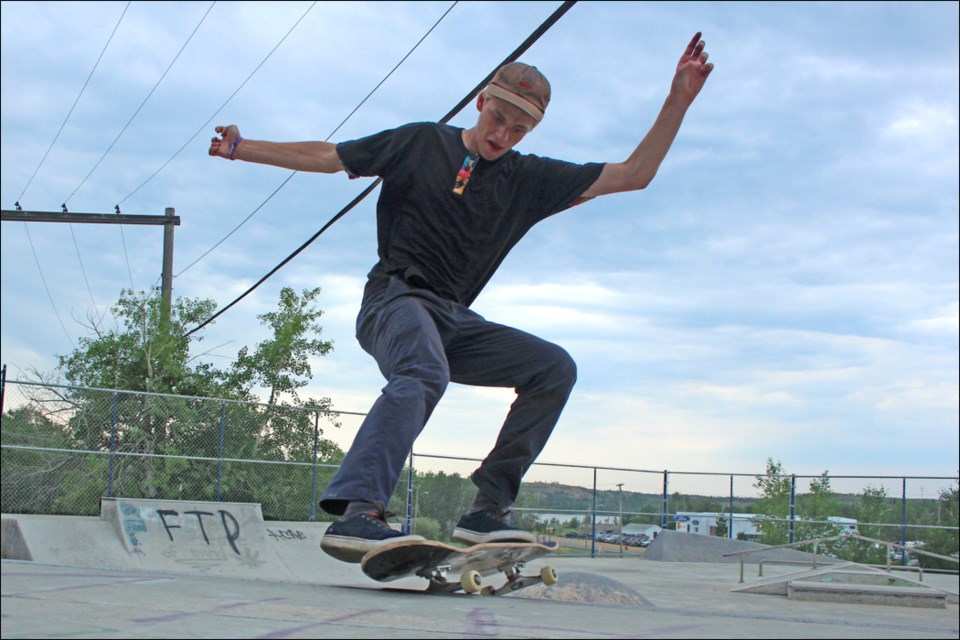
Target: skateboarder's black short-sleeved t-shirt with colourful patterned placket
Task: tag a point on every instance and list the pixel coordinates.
(453, 243)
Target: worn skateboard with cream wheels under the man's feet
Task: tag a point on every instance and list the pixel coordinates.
(434, 560)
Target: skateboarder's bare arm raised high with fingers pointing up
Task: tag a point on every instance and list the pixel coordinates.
(638, 170)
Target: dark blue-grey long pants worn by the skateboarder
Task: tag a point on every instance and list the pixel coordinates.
(422, 342)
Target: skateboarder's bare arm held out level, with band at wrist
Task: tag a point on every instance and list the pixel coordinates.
(318, 157)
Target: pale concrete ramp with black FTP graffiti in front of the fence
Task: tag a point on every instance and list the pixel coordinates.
(211, 538)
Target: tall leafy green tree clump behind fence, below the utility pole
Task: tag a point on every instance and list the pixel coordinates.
(142, 353)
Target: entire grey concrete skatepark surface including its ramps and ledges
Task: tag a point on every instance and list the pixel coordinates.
(156, 569)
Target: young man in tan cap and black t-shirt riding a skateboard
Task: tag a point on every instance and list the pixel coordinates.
(453, 203)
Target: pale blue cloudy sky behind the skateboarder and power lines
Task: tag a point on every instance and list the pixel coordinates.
(787, 287)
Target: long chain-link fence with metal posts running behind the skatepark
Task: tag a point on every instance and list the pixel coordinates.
(65, 447)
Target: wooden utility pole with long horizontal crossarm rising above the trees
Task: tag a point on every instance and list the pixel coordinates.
(168, 220)
